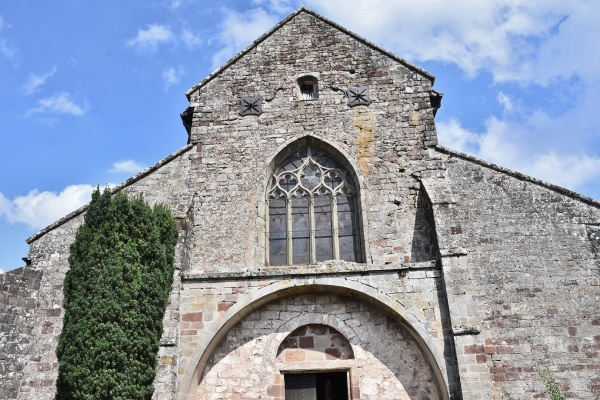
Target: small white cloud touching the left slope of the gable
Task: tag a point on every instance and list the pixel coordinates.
(239, 29)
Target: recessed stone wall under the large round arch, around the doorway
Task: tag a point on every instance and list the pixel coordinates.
(386, 362)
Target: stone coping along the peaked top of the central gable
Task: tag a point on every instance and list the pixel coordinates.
(285, 21)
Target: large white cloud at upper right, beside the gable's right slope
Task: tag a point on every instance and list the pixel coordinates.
(515, 41)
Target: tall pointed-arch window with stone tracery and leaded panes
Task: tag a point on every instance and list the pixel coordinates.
(312, 211)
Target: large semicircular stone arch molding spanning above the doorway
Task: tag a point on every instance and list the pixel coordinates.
(218, 330)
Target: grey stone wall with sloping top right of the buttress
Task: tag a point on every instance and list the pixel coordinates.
(520, 267)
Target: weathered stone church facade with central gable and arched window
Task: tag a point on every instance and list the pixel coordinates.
(330, 248)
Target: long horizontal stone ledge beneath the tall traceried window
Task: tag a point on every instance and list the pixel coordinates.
(305, 270)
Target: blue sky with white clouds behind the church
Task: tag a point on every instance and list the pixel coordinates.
(91, 92)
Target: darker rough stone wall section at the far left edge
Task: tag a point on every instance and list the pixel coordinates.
(18, 303)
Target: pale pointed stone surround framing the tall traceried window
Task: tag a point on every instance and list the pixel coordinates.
(286, 149)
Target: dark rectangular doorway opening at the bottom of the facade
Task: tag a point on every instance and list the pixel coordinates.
(317, 386)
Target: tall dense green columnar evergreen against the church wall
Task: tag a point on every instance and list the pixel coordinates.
(116, 293)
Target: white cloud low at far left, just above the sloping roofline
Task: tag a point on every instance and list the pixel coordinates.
(39, 209)
